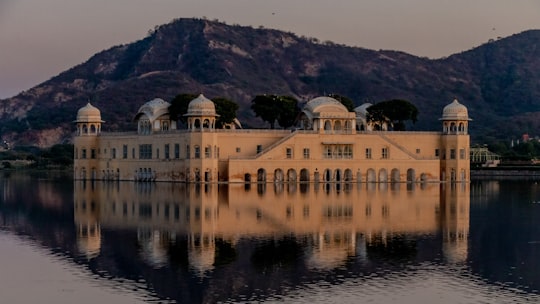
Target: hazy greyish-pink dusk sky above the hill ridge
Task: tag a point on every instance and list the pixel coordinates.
(41, 38)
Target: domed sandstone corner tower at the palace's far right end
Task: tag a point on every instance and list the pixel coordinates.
(455, 143)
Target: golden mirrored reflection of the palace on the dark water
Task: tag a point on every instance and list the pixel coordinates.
(337, 220)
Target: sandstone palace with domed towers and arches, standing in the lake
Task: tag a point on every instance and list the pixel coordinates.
(330, 144)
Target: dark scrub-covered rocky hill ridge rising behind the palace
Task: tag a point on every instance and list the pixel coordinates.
(499, 81)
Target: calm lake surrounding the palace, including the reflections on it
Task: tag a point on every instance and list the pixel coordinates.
(125, 242)
